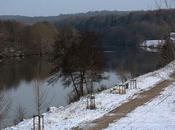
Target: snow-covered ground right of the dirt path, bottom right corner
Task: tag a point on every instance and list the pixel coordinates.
(159, 114)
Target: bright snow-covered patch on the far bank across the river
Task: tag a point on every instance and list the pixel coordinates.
(153, 43)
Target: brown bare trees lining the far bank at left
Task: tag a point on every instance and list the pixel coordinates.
(17, 39)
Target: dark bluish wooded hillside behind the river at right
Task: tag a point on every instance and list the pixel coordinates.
(129, 29)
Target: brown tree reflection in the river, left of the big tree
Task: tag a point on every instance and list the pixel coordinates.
(14, 71)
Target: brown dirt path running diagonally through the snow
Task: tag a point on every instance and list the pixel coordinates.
(127, 107)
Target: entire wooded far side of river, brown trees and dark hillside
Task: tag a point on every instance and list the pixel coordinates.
(115, 29)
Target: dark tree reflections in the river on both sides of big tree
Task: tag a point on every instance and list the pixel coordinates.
(134, 61)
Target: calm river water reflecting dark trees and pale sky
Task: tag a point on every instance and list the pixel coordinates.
(17, 79)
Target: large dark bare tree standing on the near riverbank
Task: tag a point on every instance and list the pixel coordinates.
(78, 59)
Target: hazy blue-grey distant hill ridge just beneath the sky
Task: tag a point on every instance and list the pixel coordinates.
(61, 17)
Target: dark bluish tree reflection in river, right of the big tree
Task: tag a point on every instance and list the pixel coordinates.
(133, 62)
